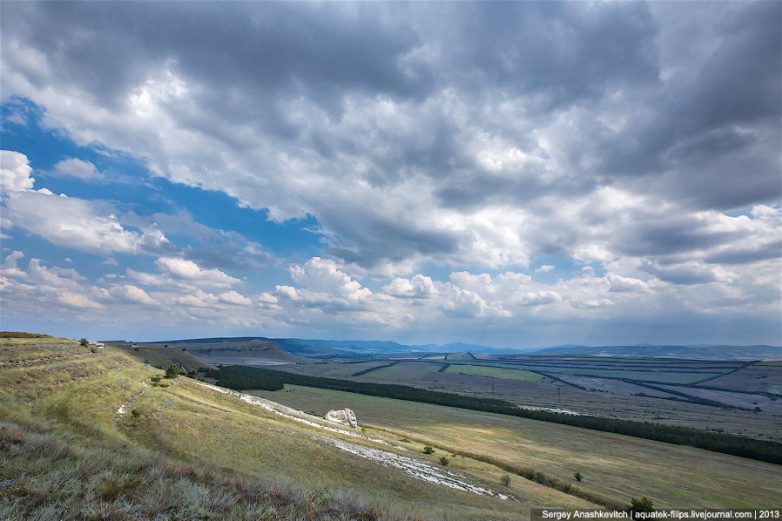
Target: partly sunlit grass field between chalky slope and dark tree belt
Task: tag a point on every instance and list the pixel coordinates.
(614, 466)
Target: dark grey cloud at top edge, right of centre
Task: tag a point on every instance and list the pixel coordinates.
(558, 52)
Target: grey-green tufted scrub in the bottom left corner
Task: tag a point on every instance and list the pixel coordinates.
(50, 476)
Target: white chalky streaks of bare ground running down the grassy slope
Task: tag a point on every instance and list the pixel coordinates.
(412, 467)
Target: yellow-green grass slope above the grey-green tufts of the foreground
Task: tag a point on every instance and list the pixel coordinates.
(79, 393)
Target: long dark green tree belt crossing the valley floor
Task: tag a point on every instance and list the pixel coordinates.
(243, 378)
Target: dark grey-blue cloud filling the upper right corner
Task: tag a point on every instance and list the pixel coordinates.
(713, 137)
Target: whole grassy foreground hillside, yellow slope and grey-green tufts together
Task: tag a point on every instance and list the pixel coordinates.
(70, 441)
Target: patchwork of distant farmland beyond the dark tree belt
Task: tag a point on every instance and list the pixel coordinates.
(618, 388)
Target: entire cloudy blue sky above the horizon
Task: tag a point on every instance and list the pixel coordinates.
(509, 174)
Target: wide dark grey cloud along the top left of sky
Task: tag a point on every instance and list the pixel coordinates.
(247, 55)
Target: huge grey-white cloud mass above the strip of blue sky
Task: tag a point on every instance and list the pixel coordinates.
(679, 102)
